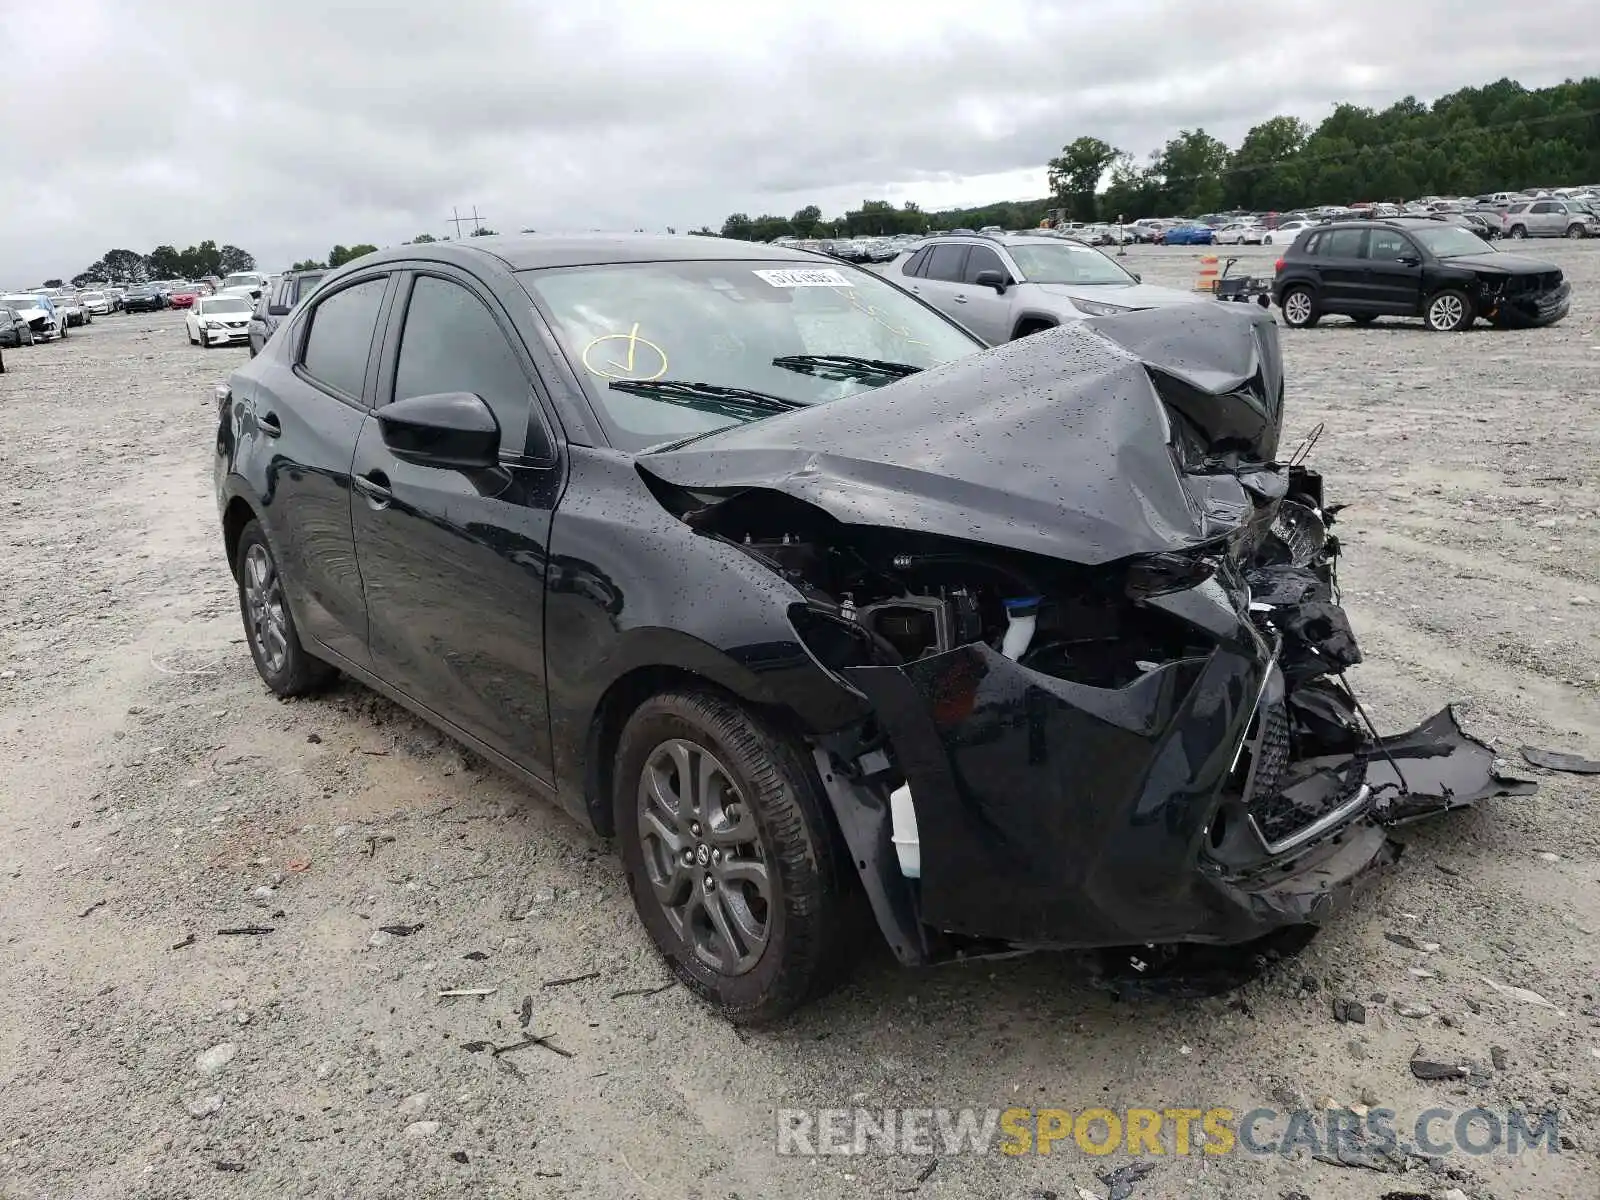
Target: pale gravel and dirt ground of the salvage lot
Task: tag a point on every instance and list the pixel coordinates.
(156, 794)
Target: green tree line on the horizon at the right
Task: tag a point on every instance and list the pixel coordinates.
(1495, 138)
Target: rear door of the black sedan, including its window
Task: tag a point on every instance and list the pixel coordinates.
(297, 430)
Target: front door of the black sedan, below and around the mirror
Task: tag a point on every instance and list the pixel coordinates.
(454, 562)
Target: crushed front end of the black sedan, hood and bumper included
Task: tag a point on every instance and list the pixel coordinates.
(1103, 679)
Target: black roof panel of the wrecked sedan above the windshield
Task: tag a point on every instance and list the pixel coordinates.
(530, 252)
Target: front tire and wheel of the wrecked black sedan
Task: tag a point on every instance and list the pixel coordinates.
(730, 855)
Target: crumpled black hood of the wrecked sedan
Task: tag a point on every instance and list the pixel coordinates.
(1057, 444)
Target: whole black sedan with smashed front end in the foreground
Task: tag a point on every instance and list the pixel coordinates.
(772, 574)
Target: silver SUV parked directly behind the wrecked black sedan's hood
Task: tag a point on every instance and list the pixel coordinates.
(1004, 290)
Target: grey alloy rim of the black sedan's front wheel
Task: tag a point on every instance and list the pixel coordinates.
(703, 857)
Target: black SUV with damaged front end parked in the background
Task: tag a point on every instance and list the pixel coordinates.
(1415, 268)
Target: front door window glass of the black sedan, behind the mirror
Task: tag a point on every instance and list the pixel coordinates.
(452, 343)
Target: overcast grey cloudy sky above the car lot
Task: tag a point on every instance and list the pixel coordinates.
(289, 126)
